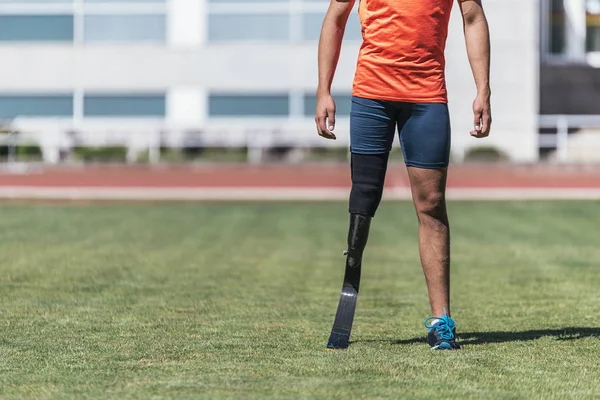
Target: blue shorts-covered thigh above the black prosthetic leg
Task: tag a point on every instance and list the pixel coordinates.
(372, 126)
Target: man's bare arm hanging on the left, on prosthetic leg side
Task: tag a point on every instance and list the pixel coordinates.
(330, 44)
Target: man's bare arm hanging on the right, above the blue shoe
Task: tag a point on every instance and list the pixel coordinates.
(477, 39)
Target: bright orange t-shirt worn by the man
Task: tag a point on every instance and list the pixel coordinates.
(402, 55)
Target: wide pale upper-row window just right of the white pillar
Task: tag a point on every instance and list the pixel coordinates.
(244, 27)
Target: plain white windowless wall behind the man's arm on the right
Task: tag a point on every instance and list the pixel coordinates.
(514, 79)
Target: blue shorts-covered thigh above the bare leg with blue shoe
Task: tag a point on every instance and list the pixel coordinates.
(425, 136)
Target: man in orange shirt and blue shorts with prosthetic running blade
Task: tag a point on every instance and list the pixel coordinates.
(400, 83)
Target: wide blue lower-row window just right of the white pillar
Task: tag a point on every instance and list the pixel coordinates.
(246, 105)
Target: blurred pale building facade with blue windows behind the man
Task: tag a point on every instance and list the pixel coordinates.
(233, 63)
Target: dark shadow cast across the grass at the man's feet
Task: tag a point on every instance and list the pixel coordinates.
(469, 338)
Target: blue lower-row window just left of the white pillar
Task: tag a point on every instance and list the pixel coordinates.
(119, 105)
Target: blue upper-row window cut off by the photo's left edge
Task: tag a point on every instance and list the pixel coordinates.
(42, 28)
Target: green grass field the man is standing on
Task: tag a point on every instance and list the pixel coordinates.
(208, 301)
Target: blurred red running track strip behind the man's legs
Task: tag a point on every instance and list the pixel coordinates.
(326, 176)
